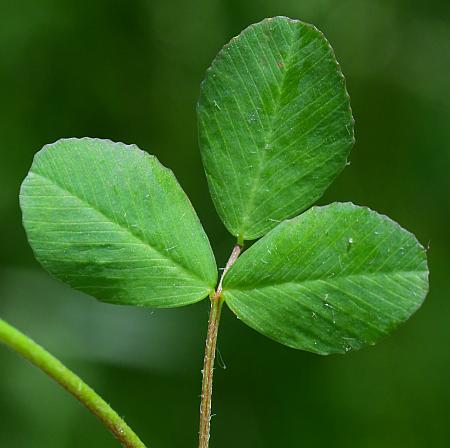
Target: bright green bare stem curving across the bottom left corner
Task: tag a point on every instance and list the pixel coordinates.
(38, 356)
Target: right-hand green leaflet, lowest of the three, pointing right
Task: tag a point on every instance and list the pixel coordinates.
(329, 281)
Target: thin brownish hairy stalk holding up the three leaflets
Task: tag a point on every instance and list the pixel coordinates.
(210, 354)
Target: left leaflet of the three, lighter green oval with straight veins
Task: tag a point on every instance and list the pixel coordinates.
(111, 221)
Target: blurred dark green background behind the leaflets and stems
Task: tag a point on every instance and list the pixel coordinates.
(130, 71)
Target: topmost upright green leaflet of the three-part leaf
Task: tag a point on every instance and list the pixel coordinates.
(275, 124)
